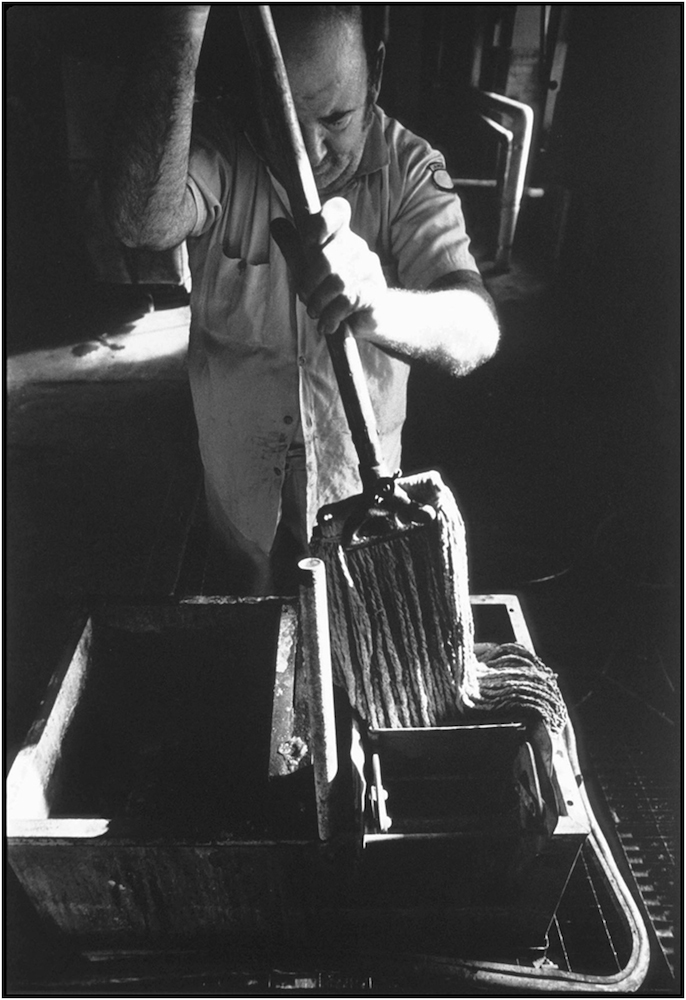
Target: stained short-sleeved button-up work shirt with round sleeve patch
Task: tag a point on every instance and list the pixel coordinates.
(260, 373)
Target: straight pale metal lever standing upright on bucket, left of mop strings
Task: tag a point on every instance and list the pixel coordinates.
(314, 618)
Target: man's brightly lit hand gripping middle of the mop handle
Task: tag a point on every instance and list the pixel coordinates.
(337, 276)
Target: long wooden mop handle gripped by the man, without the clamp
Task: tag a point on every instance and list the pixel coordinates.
(294, 165)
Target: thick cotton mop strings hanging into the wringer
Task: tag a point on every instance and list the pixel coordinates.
(402, 633)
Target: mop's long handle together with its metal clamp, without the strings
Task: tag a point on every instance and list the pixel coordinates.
(383, 507)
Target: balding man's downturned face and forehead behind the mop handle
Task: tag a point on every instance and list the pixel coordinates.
(327, 71)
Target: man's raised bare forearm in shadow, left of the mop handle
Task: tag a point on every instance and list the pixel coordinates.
(145, 177)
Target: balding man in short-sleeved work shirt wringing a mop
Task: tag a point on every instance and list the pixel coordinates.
(390, 256)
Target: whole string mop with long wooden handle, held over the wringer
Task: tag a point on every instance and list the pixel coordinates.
(402, 636)
